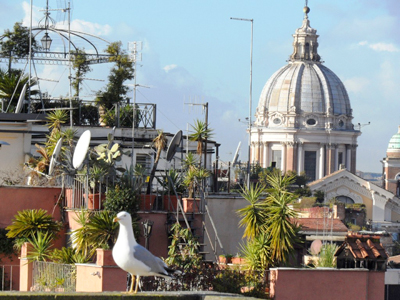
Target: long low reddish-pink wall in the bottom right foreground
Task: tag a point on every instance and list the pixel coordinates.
(299, 284)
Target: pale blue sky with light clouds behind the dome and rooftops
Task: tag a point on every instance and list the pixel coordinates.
(194, 53)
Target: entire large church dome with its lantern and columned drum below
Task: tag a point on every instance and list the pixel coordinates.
(304, 118)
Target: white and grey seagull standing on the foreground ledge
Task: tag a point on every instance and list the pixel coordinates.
(134, 258)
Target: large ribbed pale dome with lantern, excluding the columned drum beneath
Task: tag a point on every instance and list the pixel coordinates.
(304, 93)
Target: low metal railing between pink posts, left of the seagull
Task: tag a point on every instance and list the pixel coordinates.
(53, 277)
